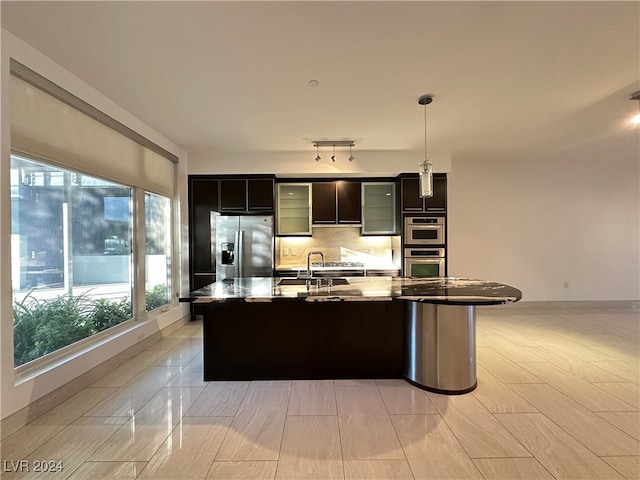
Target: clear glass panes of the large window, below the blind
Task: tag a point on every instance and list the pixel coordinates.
(72, 238)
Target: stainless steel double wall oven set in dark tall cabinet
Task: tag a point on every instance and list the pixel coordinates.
(424, 246)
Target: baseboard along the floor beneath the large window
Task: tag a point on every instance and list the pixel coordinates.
(29, 413)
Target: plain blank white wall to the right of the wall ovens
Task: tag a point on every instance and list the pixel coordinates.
(537, 220)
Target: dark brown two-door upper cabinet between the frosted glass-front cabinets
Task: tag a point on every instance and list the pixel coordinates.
(337, 202)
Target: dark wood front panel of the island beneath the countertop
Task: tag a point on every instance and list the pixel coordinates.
(298, 339)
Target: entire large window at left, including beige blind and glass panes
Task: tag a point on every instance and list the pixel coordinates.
(90, 211)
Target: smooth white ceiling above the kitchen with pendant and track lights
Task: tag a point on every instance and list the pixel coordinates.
(234, 76)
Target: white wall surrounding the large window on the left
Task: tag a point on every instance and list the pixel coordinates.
(18, 392)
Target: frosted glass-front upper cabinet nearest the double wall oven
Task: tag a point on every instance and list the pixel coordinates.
(379, 208)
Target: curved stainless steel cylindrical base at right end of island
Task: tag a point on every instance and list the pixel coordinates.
(440, 347)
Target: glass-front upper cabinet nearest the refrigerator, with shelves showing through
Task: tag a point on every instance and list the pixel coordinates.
(294, 209)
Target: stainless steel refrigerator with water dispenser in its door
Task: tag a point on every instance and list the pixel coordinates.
(244, 246)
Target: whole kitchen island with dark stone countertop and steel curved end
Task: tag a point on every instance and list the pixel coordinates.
(422, 330)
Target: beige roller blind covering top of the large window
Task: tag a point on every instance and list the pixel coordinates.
(50, 123)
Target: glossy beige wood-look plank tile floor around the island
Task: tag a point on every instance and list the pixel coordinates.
(558, 397)
